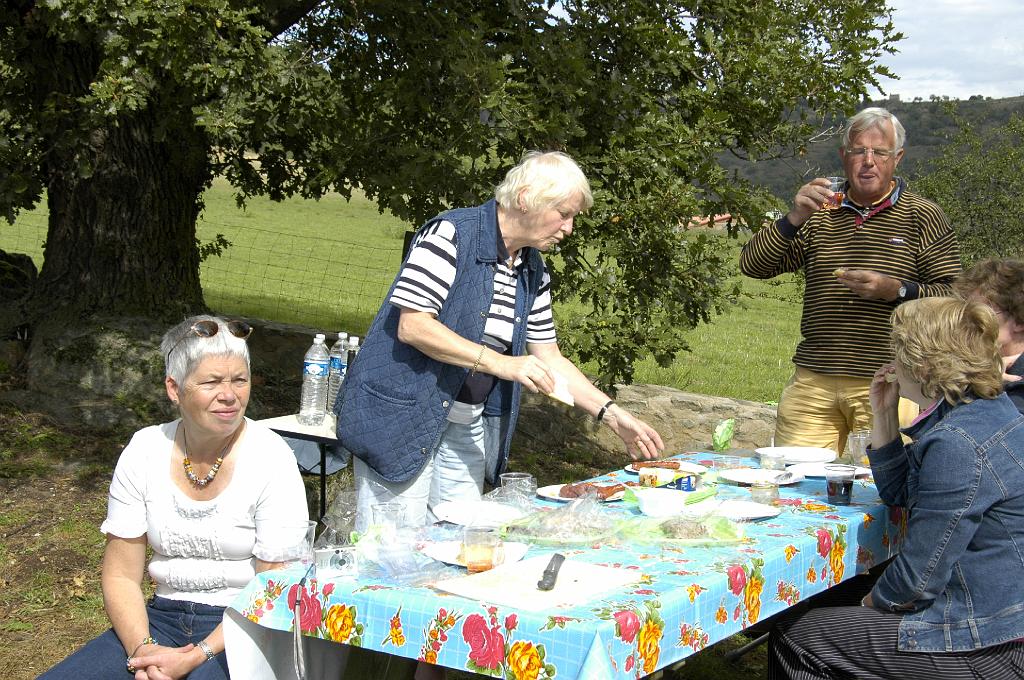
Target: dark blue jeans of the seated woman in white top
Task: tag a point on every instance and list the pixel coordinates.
(173, 624)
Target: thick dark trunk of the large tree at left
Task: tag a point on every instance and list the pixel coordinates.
(122, 240)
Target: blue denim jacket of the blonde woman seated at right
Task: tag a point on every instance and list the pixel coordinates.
(959, 580)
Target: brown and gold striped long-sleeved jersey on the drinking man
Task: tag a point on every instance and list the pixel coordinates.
(907, 237)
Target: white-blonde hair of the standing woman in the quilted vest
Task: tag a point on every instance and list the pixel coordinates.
(544, 180)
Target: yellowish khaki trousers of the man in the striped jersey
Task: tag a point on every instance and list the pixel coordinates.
(821, 410)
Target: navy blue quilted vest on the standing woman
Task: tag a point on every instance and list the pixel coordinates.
(394, 405)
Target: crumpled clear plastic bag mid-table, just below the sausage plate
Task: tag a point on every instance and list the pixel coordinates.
(582, 521)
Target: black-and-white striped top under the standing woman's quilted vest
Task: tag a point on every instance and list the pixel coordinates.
(430, 273)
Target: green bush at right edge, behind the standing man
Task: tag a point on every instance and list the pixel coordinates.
(978, 180)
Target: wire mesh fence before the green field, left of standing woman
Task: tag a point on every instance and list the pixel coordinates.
(329, 283)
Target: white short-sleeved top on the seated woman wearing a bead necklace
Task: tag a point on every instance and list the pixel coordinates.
(204, 551)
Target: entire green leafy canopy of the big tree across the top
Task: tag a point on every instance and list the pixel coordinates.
(425, 107)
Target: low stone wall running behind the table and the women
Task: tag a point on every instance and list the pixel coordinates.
(111, 373)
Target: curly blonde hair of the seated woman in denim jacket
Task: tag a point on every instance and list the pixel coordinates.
(950, 347)
